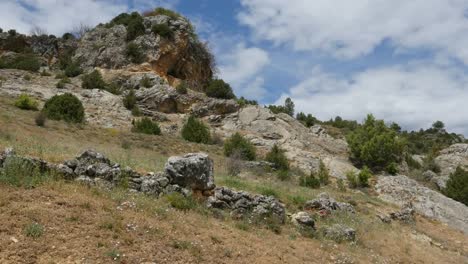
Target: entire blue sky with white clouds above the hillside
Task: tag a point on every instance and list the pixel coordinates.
(404, 61)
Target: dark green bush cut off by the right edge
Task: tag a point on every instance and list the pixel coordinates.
(457, 186)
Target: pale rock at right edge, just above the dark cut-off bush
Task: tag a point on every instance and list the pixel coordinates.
(448, 161)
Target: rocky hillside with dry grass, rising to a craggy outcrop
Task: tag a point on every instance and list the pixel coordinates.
(100, 191)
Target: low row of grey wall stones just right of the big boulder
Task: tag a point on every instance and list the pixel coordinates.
(244, 204)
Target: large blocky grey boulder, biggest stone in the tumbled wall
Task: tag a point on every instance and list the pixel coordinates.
(193, 171)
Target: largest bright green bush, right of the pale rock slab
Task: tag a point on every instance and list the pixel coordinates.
(374, 145)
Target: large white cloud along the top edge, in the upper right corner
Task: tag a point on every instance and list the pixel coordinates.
(349, 29)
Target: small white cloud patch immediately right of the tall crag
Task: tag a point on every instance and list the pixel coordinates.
(241, 68)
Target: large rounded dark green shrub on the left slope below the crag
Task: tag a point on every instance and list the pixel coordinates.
(65, 107)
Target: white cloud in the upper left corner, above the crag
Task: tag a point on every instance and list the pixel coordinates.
(60, 16)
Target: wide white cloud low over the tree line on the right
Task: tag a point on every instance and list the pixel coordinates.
(414, 95)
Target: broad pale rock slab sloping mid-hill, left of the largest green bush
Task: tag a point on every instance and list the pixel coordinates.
(304, 147)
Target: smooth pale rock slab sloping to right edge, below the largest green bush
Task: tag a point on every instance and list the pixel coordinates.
(401, 190)
